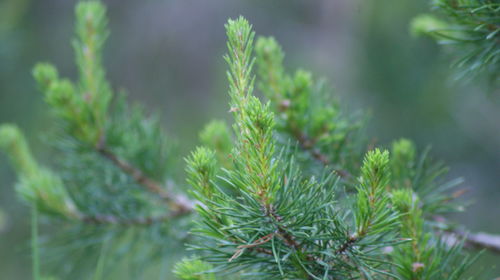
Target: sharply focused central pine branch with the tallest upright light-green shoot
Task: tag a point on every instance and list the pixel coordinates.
(245, 218)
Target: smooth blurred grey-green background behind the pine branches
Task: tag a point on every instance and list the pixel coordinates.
(168, 55)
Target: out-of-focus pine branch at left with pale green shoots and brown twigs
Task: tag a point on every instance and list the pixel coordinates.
(86, 117)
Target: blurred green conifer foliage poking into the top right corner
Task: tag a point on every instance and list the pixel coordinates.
(472, 28)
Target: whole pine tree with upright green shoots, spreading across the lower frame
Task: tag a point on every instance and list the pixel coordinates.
(295, 191)
